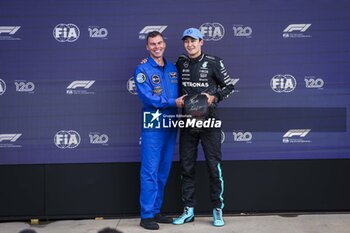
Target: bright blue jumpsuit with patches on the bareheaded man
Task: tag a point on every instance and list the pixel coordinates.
(157, 88)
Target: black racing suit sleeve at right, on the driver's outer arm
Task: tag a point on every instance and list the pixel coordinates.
(224, 81)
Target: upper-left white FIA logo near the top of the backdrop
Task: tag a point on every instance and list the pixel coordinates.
(66, 32)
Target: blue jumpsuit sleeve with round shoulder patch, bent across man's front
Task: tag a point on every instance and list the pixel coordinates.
(146, 94)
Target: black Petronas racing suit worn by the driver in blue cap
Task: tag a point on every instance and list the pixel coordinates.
(203, 74)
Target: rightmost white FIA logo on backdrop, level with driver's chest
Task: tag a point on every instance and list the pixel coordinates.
(283, 83)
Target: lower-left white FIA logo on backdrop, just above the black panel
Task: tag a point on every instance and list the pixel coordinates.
(67, 139)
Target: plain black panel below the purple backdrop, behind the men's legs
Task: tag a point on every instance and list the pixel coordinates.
(111, 190)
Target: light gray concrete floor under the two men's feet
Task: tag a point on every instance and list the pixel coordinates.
(306, 223)
